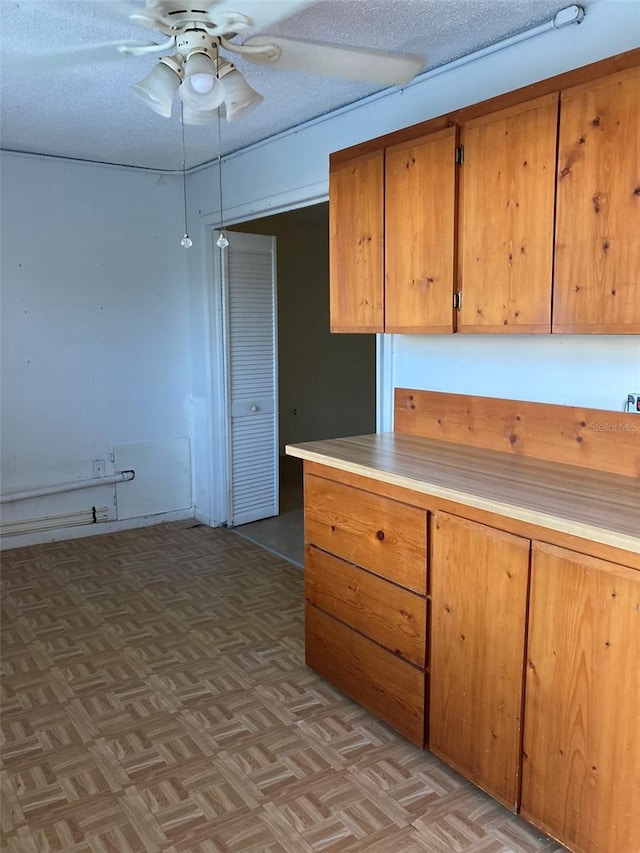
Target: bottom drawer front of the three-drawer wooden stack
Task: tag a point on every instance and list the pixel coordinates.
(384, 684)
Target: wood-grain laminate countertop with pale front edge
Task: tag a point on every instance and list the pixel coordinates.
(602, 507)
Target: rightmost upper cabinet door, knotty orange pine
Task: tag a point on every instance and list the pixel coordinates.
(597, 270)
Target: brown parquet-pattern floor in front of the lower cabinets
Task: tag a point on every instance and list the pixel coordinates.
(155, 698)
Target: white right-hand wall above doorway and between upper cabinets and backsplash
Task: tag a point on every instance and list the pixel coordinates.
(293, 169)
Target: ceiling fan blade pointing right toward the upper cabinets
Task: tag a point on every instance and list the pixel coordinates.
(335, 60)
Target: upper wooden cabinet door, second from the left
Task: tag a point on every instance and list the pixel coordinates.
(420, 187)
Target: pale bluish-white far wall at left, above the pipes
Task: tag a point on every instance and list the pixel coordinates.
(95, 331)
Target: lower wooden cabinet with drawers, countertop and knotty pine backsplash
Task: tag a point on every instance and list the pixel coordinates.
(473, 579)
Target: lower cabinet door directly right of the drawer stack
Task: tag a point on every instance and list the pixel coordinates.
(479, 585)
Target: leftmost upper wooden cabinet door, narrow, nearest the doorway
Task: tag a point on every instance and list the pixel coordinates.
(356, 244)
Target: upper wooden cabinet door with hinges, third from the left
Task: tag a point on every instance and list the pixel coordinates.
(507, 185)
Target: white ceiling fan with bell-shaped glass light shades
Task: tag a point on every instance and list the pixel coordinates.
(201, 34)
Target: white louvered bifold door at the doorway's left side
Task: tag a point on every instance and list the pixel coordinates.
(252, 378)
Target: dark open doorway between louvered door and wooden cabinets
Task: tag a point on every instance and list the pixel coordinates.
(326, 382)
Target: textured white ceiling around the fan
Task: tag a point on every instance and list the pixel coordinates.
(89, 112)
